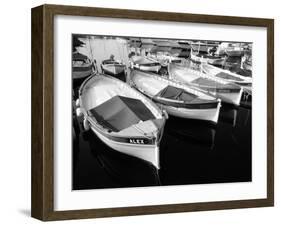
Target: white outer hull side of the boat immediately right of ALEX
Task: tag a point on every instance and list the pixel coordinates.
(211, 114)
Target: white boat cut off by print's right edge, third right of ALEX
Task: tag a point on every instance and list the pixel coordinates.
(226, 75)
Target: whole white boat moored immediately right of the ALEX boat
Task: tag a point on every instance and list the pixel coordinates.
(177, 99)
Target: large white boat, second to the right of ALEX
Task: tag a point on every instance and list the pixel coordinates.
(227, 92)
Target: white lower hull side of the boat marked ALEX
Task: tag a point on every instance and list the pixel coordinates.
(149, 153)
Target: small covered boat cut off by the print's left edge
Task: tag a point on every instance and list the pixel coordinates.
(82, 66)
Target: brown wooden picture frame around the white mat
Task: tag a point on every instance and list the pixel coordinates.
(42, 203)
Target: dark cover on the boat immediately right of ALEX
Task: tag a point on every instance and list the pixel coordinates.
(175, 93)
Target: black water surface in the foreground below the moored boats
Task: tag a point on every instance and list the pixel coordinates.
(191, 152)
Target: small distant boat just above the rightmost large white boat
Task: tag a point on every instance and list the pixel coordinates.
(207, 59)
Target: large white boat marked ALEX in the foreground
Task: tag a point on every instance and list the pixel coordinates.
(121, 117)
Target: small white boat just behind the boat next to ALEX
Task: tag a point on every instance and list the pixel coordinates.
(145, 64)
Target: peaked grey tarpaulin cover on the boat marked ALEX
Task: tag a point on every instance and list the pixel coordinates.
(121, 112)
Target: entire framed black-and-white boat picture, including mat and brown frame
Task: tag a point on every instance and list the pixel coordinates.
(141, 112)
